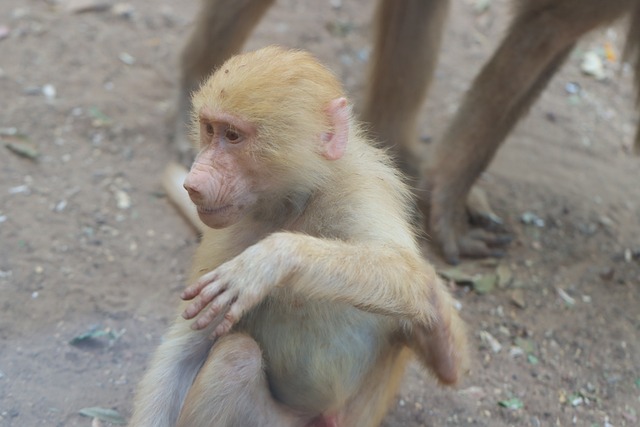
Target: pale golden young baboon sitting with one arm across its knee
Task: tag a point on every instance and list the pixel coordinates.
(309, 290)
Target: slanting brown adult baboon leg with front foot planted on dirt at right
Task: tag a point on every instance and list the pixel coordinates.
(539, 39)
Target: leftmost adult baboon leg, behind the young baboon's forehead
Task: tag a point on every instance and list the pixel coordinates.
(221, 30)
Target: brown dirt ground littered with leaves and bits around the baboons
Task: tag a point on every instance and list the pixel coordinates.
(89, 241)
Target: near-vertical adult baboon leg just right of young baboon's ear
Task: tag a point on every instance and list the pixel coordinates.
(405, 53)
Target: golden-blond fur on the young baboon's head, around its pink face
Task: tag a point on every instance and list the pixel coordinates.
(284, 93)
